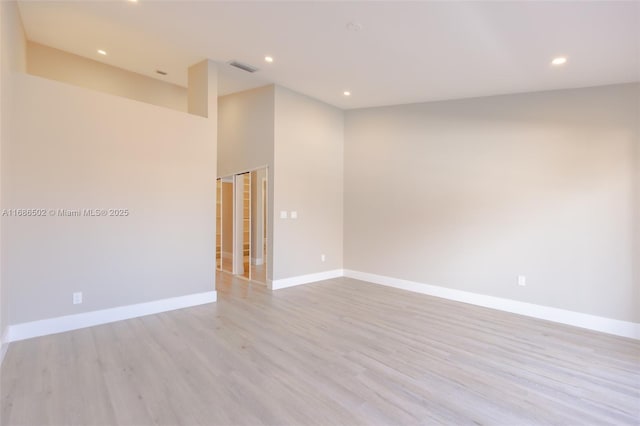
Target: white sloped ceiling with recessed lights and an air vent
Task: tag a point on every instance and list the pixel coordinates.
(403, 52)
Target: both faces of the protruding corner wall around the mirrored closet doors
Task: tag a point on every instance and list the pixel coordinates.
(300, 140)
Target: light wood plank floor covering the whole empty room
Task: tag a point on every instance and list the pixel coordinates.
(336, 352)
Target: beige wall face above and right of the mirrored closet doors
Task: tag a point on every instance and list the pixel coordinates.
(245, 140)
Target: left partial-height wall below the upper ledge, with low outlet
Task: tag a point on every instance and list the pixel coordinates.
(99, 151)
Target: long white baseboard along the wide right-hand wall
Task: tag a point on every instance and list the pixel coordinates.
(577, 319)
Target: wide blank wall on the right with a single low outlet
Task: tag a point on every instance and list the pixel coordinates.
(470, 194)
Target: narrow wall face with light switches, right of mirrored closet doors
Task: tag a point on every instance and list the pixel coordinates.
(308, 178)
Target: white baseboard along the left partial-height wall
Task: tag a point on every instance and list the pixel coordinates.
(44, 327)
